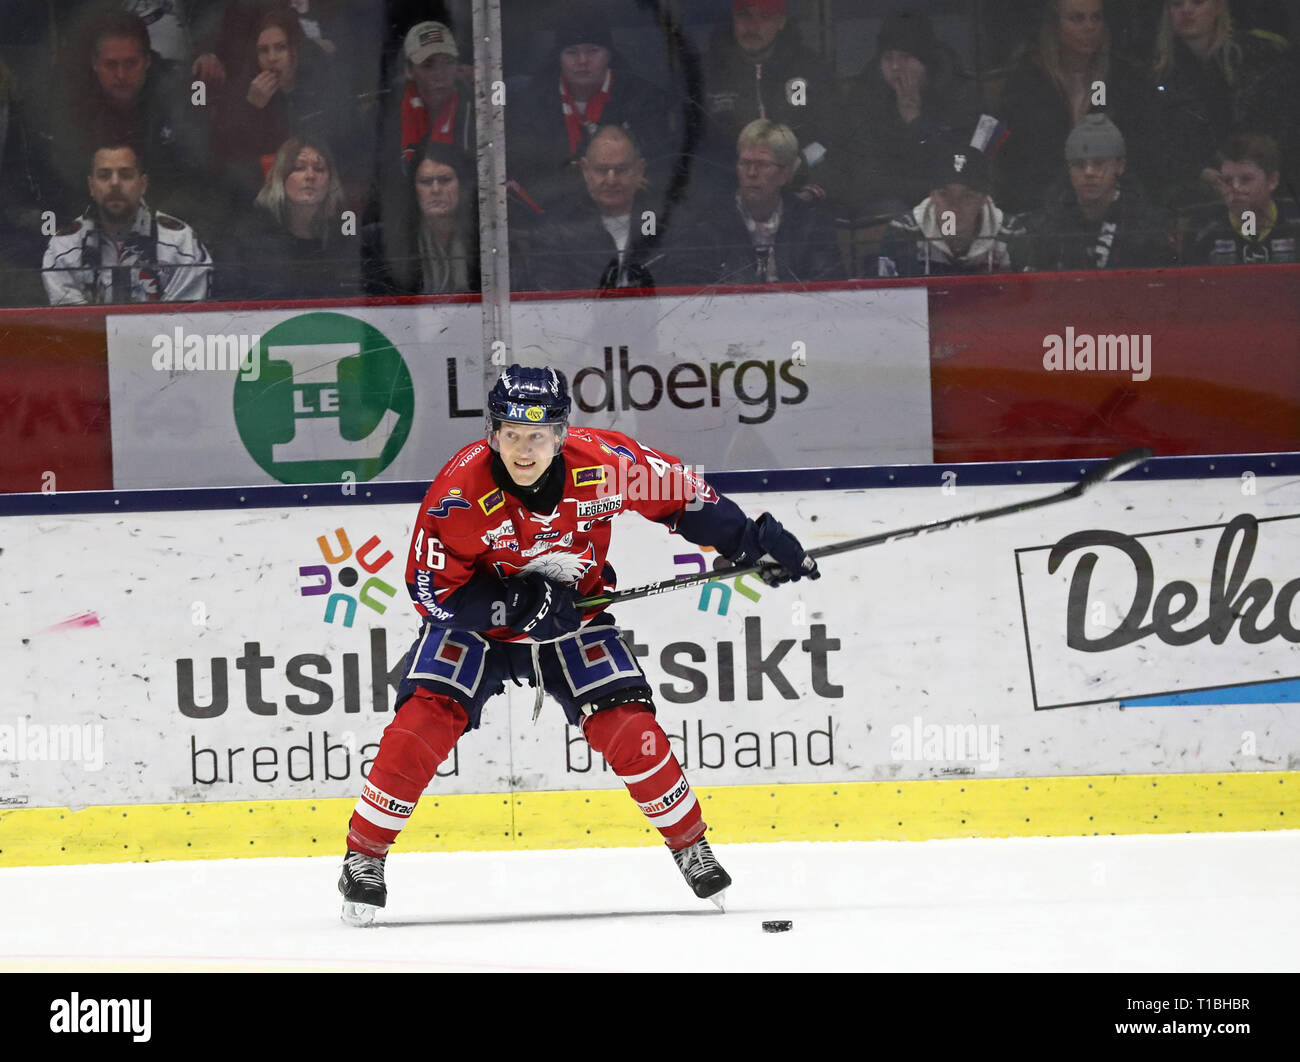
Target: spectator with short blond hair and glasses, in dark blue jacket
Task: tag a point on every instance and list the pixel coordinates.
(765, 233)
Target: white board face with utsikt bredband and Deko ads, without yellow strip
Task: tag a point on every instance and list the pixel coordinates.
(1150, 627)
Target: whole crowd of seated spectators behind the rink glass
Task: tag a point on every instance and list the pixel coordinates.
(268, 150)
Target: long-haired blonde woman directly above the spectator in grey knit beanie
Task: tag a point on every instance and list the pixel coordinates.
(1069, 72)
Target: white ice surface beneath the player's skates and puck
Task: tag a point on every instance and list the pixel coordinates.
(1180, 903)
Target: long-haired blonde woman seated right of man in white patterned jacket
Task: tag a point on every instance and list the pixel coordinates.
(294, 246)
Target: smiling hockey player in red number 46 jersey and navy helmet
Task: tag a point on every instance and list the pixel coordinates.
(512, 535)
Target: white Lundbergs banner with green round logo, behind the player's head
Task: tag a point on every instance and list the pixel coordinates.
(389, 393)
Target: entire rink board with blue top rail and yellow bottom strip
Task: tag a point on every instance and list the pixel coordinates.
(172, 684)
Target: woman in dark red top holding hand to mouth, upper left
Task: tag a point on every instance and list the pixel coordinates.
(284, 89)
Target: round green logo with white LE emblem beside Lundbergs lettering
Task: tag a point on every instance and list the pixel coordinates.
(332, 397)
